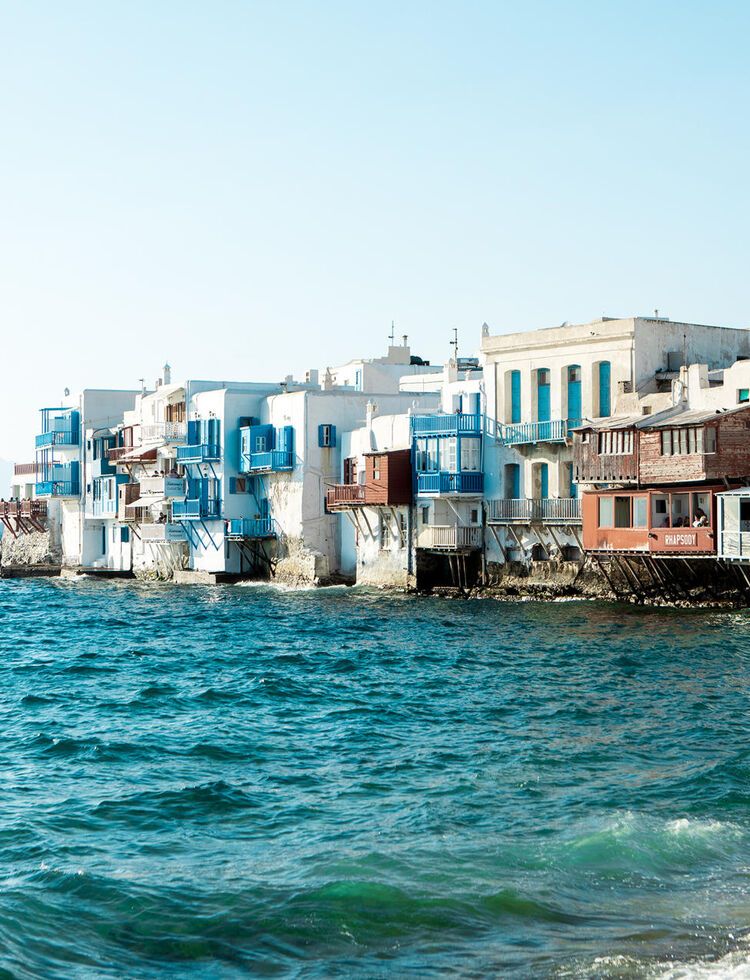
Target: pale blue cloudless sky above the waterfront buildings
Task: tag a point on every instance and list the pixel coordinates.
(251, 189)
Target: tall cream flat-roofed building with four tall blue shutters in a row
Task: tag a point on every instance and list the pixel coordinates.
(540, 384)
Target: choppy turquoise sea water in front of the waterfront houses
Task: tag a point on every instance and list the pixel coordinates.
(237, 780)
